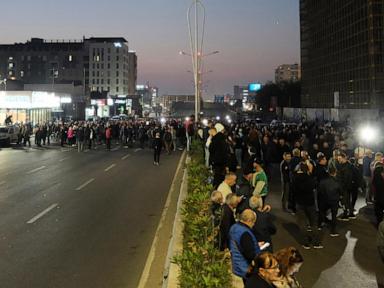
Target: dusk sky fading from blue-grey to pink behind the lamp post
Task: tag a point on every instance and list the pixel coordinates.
(253, 36)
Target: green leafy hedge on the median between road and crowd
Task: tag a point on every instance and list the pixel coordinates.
(201, 264)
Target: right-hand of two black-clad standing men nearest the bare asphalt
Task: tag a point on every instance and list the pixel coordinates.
(329, 195)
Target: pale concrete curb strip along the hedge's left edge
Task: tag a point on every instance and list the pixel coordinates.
(171, 270)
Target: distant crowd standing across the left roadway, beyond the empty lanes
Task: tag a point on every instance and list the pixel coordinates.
(86, 135)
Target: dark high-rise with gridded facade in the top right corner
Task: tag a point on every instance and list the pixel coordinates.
(342, 47)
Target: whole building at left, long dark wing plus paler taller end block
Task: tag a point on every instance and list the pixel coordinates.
(100, 64)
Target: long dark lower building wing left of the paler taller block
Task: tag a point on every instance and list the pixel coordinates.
(43, 62)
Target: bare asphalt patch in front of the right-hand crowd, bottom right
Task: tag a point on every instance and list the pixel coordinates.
(350, 260)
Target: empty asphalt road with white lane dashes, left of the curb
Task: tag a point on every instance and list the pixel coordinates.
(70, 219)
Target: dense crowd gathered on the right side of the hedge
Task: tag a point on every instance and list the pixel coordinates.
(322, 170)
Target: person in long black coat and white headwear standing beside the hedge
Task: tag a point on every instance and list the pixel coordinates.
(218, 155)
